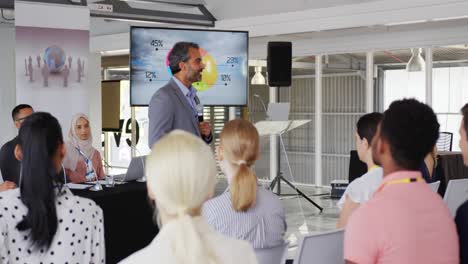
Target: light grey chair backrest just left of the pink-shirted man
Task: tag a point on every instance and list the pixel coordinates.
(321, 248)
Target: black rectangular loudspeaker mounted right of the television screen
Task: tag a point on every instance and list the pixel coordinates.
(279, 62)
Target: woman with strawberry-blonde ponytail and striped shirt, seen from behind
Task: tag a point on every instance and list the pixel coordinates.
(247, 211)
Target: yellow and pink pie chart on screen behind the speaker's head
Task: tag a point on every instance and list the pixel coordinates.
(209, 74)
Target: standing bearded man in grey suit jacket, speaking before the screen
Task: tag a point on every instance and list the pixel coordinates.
(176, 105)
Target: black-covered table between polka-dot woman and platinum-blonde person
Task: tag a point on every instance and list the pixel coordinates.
(128, 218)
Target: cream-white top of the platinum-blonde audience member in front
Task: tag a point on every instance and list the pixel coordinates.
(227, 250)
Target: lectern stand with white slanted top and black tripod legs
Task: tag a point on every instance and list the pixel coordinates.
(279, 128)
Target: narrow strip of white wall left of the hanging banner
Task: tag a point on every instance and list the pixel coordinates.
(7, 83)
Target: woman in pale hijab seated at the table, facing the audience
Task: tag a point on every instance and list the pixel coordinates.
(82, 162)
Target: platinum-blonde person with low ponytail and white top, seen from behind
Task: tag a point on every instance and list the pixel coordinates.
(181, 176)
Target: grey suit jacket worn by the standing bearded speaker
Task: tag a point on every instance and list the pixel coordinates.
(169, 110)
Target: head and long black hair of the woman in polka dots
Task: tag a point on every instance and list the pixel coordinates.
(41, 151)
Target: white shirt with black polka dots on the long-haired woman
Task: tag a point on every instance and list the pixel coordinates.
(79, 237)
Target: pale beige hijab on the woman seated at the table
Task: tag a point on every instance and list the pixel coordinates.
(74, 142)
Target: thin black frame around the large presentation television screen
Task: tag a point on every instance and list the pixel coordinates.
(192, 29)
